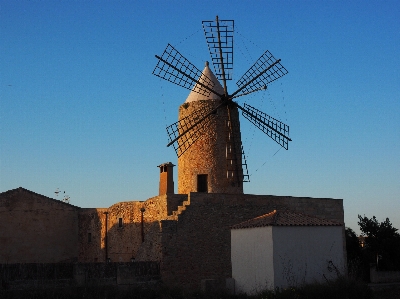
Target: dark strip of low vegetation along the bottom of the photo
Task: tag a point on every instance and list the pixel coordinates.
(341, 289)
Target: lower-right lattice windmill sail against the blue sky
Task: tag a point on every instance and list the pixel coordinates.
(277, 130)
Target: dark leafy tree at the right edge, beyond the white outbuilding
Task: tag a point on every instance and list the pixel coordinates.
(382, 242)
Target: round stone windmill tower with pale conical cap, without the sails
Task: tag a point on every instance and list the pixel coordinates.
(214, 162)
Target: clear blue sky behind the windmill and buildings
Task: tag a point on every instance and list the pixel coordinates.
(81, 110)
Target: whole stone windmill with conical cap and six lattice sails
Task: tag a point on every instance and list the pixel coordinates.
(207, 138)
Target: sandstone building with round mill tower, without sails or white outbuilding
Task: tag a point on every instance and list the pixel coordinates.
(187, 233)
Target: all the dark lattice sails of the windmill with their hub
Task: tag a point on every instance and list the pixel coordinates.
(175, 68)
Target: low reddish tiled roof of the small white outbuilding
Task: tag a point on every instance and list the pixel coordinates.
(285, 218)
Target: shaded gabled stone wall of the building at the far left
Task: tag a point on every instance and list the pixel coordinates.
(35, 228)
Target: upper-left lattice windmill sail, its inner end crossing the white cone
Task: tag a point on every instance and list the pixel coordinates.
(175, 68)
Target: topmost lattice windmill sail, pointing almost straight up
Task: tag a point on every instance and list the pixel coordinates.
(226, 28)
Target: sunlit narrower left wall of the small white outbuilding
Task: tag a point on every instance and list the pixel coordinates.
(252, 259)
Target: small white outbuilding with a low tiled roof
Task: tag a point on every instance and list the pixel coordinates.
(283, 249)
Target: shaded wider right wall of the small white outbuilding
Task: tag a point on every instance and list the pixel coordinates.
(302, 254)
